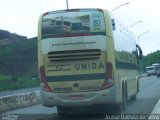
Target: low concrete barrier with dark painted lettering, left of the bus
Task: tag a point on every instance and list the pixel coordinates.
(19, 100)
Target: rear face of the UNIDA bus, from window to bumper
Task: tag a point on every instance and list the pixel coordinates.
(74, 70)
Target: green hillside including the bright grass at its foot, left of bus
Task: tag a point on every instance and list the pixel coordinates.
(18, 65)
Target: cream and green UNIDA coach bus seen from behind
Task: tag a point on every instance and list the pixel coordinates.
(88, 70)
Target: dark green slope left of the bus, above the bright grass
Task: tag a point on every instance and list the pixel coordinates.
(19, 58)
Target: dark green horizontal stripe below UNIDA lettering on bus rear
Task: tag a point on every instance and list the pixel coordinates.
(75, 77)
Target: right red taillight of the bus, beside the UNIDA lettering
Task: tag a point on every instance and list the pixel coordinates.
(109, 82)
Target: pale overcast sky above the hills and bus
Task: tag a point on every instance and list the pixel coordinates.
(21, 16)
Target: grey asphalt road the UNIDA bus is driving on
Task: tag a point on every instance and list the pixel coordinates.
(146, 100)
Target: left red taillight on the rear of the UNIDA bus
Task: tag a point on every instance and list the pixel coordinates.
(43, 82)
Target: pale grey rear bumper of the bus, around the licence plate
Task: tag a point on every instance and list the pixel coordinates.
(107, 96)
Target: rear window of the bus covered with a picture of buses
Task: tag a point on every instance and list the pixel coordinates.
(80, 22)
